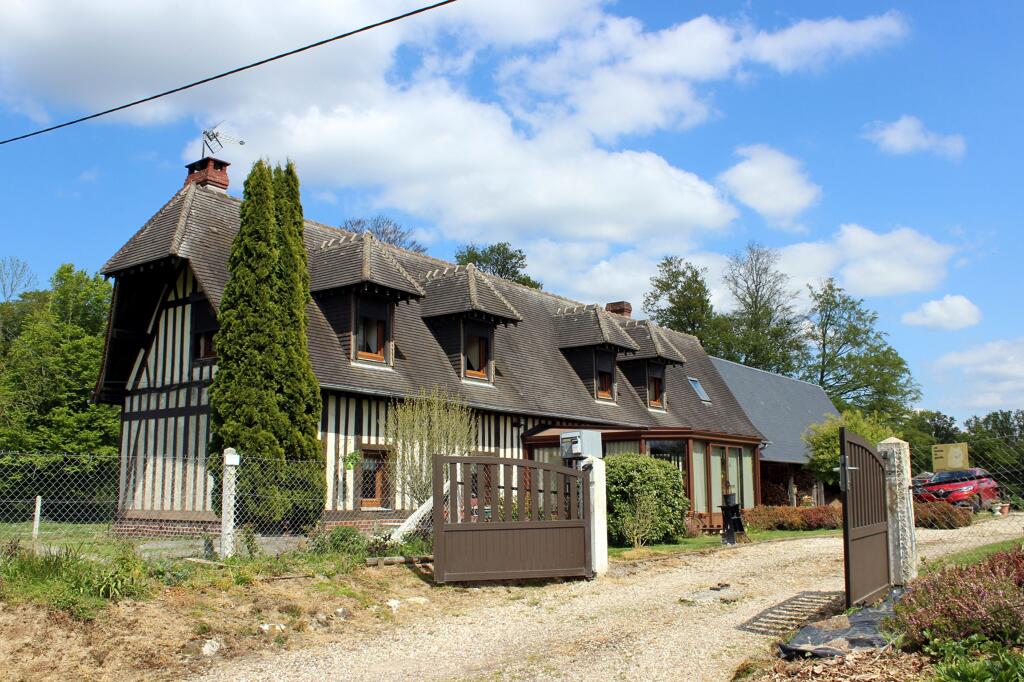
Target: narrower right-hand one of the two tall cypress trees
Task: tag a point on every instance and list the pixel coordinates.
(298, 391)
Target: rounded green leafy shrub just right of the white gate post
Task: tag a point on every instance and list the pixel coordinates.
(647, 500)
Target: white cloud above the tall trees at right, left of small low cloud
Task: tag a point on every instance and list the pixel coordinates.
(901, 262)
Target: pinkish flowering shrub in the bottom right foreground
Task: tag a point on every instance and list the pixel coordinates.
(985, 600)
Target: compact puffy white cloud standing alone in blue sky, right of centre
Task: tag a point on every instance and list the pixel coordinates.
(773, 184)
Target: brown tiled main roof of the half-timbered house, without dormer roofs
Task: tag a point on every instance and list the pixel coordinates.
(532, 378)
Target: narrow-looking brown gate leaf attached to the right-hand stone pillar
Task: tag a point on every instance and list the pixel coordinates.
(866, 521)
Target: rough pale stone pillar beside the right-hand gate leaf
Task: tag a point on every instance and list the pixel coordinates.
(900, 497)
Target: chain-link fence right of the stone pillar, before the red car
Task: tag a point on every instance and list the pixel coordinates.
(969, 506)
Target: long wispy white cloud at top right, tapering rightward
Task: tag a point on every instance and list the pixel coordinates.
(616, 61)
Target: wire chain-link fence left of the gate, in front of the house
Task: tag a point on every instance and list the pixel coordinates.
(174, 507)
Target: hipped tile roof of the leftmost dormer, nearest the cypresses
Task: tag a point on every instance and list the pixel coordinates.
(349, 261)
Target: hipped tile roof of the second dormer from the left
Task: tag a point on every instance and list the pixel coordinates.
(463, 289)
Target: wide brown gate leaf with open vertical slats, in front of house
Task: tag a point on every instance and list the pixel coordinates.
(499, 519)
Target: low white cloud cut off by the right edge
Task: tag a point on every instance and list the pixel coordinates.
(990, 376)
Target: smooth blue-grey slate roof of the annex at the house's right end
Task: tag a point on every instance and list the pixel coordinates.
(782, 408)
